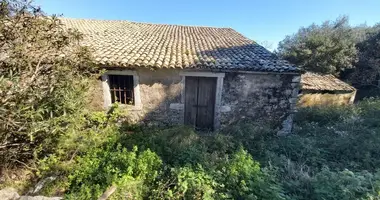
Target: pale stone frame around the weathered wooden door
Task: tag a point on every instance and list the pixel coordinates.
(218, 92)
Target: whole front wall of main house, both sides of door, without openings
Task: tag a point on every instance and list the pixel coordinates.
(244, 96)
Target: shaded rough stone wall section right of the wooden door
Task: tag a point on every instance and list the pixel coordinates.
(255, 96)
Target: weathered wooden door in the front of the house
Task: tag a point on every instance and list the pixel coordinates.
(200, 101)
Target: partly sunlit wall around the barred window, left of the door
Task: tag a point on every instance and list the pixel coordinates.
(158, 90)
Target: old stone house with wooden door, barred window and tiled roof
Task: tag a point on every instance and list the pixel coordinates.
(200, 76)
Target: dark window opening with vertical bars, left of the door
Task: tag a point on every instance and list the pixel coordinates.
(121, 87)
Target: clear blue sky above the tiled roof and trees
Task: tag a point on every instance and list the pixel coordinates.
(264, 20)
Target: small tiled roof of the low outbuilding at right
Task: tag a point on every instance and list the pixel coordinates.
(312, 81)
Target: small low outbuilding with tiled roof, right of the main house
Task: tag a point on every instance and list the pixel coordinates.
(319, 89)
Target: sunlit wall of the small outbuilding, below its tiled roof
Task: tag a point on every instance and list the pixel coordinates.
(309, 98)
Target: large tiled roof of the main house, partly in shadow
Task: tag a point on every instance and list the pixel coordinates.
(121, 43)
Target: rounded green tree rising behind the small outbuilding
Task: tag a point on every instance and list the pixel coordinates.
(328, 48)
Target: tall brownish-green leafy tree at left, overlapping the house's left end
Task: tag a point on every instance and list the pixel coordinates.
(42, 69)
